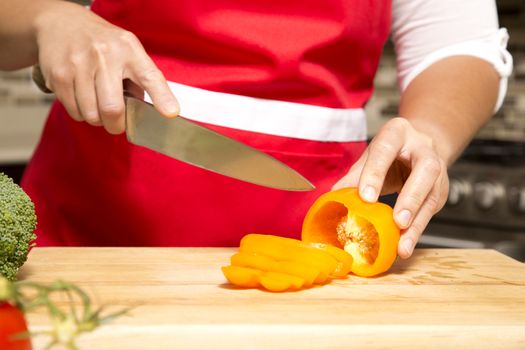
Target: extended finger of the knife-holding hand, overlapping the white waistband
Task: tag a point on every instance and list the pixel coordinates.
(150, 78)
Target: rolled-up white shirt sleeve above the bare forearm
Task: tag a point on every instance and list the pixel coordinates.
(425, 31)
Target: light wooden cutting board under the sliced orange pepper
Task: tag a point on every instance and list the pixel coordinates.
(438, 299)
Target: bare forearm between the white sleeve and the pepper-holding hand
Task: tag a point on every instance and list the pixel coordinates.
(450, 101)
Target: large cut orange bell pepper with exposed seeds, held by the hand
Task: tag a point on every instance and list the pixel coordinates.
(365, 230)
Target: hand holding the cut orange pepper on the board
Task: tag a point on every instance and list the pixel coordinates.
(402, 159)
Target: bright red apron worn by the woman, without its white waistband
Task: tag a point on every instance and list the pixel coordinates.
(95, 189)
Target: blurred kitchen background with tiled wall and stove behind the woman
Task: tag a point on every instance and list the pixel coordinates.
(486, 204)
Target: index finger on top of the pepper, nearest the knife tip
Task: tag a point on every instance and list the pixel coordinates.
(382, 152)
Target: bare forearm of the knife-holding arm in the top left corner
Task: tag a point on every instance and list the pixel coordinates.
(18, 30)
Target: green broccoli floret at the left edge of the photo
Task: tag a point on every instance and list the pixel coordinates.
(17, 227)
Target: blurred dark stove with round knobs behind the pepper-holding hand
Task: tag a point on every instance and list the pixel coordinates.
(486, 202)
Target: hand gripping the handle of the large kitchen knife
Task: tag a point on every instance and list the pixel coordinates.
(85, 59)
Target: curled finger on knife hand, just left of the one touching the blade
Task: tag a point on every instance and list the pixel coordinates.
(86, 98)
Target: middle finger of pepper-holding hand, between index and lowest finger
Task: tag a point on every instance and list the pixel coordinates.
(426, 171)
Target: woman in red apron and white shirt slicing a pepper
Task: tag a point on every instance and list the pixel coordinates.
(310, 63)
